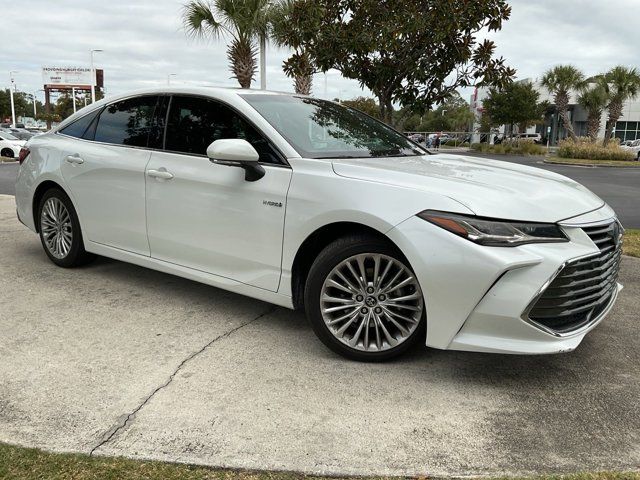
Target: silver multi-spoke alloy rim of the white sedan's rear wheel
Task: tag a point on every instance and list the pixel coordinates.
(57, 231)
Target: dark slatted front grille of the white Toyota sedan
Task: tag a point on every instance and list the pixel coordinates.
(583, 289)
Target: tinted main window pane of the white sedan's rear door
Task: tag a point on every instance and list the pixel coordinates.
(128, 122)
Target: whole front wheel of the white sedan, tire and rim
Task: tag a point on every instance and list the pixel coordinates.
(363, 300)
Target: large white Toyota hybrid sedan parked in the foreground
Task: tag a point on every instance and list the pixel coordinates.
(306, 204)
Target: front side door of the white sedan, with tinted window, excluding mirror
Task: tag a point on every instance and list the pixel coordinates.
(206, 216)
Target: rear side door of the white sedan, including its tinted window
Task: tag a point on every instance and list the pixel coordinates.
(103, 164)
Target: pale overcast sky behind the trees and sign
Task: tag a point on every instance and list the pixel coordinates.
(143, 42)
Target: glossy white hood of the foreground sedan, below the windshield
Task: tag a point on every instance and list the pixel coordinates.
(489, 188)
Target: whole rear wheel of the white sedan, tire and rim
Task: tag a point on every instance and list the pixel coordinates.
(60, 232)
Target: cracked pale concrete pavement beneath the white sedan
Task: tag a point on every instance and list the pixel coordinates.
(115, 359)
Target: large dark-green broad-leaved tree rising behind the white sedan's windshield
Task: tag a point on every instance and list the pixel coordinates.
(414, 54)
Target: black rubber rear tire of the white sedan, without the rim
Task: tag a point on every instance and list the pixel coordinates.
(77, 255)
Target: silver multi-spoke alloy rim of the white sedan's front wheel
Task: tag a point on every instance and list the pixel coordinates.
(371, 302)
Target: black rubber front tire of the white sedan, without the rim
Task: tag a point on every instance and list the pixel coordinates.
(332, 255)
